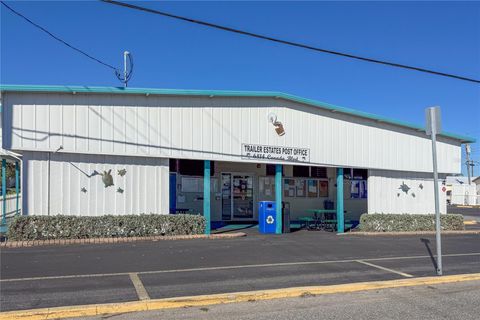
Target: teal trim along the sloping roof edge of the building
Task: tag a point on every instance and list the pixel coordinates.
(269, 94)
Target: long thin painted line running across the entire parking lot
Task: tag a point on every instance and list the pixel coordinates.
(266, 265)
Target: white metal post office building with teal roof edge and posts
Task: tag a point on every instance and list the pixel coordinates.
(106, 150)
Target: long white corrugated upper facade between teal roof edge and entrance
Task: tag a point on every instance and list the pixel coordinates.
(214, 128)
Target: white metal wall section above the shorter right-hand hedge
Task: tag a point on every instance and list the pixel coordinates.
(385, 195)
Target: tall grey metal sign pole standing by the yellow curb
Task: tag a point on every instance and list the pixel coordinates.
(435, 186)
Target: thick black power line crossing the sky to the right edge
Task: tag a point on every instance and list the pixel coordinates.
(286, 42)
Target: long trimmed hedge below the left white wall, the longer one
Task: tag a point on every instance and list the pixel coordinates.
(108, 226)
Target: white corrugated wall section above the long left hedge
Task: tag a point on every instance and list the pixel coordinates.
(74, 189)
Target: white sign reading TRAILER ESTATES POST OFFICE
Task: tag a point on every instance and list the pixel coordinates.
(260, 152)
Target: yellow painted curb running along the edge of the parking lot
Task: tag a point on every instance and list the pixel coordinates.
(203, 300)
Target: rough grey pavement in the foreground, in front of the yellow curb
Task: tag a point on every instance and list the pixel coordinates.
(444, 301)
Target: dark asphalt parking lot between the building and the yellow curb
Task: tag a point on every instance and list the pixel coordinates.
(51, 276)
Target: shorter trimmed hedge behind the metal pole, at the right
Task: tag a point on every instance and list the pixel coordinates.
(383, 222)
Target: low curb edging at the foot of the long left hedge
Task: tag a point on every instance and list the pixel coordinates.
(35, 243)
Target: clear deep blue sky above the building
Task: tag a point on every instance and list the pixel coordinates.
(168, 53)
